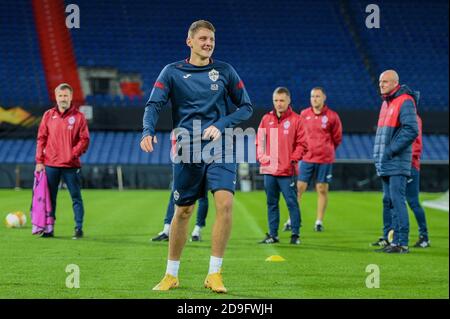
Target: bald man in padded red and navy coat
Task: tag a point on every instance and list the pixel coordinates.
(396, 132)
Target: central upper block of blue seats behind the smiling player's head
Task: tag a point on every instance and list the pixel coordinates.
(301, 61)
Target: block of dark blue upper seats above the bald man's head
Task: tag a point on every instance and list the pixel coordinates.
(412, 39)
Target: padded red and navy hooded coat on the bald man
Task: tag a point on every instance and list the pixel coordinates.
(397, 130)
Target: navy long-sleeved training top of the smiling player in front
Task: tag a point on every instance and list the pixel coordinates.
(198, 93)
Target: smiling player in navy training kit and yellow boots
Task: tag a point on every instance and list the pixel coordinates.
(198, 89)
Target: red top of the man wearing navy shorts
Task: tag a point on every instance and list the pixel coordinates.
(323, 135)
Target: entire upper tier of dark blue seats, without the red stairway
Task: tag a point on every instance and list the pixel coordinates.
(298, 44)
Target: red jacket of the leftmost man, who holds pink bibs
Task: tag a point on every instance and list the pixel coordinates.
(62, 138)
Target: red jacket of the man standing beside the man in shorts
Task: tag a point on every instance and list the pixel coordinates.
(280, 143)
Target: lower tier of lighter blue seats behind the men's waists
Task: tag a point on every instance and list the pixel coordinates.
(123, 148)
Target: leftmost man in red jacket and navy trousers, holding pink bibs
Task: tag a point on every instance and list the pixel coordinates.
(63, 137)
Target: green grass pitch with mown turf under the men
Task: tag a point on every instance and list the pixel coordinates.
(116, 259)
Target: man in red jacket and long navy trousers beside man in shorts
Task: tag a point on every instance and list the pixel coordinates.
(280, 145)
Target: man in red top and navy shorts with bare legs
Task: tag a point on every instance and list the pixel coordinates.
(323, 130)
